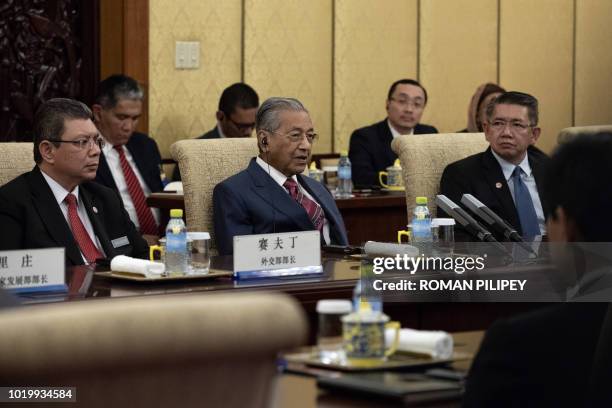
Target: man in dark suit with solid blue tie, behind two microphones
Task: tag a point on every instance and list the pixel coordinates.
(507, 177)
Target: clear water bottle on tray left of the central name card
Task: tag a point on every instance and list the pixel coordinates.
(177, 257)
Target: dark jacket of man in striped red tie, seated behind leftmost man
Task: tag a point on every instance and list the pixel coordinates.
(146, 155)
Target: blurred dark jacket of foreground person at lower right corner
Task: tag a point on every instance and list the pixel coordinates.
(541, 359)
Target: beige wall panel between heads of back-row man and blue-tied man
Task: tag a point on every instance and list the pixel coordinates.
(458, 52)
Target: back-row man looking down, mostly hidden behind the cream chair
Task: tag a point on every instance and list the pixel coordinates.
(235, 117)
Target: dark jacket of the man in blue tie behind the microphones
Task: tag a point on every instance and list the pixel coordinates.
(480, 175)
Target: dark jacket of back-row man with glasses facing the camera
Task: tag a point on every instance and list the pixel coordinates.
(370, 151)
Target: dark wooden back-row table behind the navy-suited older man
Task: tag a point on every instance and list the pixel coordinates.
(375, 216)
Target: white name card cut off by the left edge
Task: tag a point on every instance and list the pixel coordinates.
(32, 269)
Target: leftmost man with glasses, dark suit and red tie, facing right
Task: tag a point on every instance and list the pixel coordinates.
(57, 204)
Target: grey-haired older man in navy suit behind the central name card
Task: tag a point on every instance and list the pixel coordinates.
(272, 195)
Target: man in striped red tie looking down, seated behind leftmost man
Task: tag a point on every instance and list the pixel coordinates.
(130, 162)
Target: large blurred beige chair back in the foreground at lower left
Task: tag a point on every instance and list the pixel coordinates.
(175, 350)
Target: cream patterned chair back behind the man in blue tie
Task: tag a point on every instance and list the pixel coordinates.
(424, 157)
